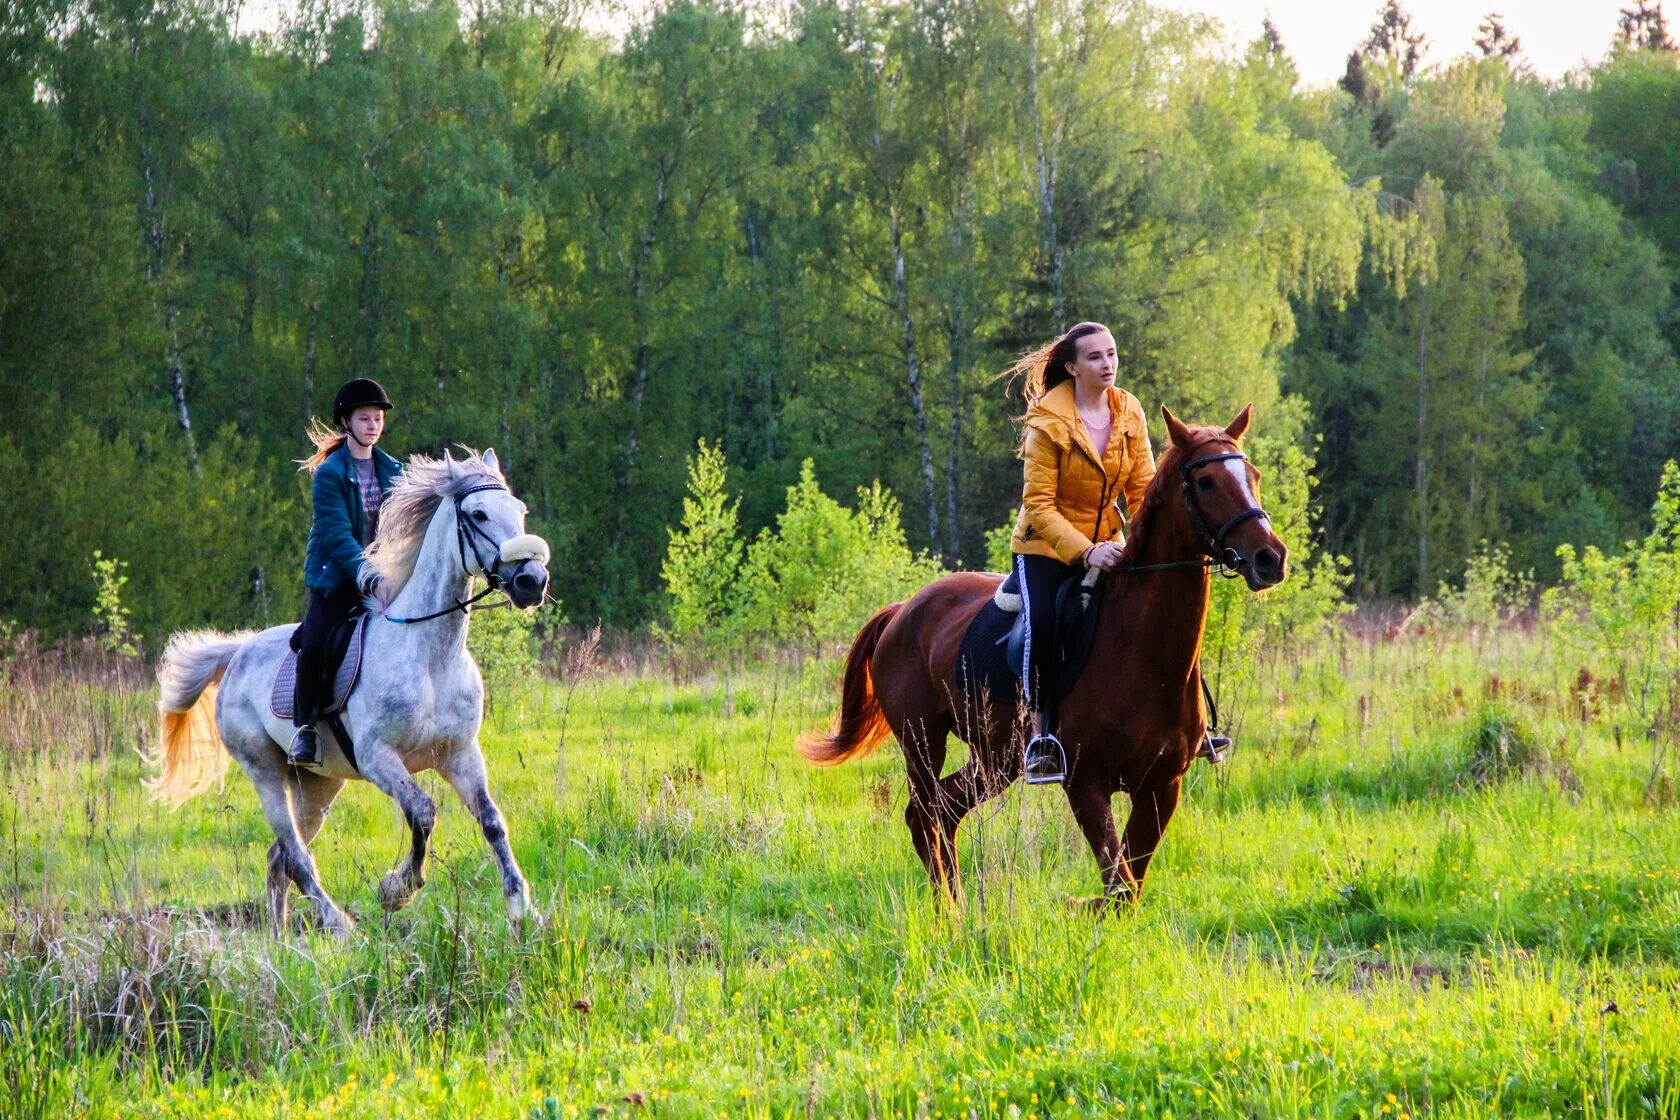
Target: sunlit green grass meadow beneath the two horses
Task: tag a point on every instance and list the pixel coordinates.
(1415, 891)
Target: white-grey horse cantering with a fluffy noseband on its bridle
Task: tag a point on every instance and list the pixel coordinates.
(417, 704)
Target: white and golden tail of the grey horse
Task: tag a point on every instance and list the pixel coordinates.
(191, 758)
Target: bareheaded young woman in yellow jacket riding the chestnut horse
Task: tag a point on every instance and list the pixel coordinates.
(1084, 449)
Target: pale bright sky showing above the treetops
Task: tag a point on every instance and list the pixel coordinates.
(1557, 34)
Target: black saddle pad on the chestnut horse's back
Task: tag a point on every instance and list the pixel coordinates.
(994, 654)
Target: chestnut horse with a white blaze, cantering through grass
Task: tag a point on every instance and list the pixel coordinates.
(1133, 720)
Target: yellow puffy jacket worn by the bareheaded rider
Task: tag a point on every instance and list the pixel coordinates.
(1069, 496)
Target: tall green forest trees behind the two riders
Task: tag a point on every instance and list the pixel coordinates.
(807, 233)
